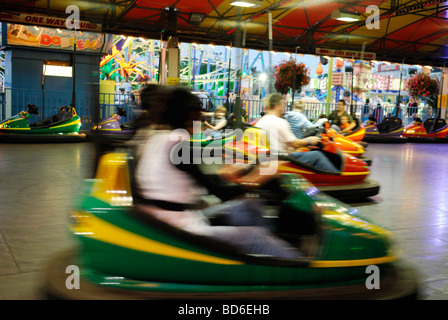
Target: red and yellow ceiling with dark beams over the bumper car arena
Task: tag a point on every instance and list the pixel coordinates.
(415, 32)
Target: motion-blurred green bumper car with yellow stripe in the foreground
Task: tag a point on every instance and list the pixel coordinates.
(125, 254)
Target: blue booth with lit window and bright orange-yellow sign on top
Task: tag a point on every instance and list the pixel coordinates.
(43, 67)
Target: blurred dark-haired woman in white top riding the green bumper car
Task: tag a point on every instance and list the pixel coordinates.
(169, 185)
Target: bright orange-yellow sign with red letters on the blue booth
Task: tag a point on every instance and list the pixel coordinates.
(49, 38)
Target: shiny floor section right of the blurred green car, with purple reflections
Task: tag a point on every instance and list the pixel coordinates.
(413, 204)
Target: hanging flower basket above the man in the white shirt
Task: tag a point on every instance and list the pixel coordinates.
(290, 75)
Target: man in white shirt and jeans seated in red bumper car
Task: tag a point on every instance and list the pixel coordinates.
(282, 139)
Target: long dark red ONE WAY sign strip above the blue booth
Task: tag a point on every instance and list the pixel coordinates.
(39, 20)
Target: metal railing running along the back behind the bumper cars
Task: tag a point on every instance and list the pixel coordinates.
(12, 101)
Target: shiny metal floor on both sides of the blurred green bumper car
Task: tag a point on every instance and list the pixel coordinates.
(38, 183)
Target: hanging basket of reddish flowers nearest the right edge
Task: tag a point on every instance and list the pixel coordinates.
(422, 86)
